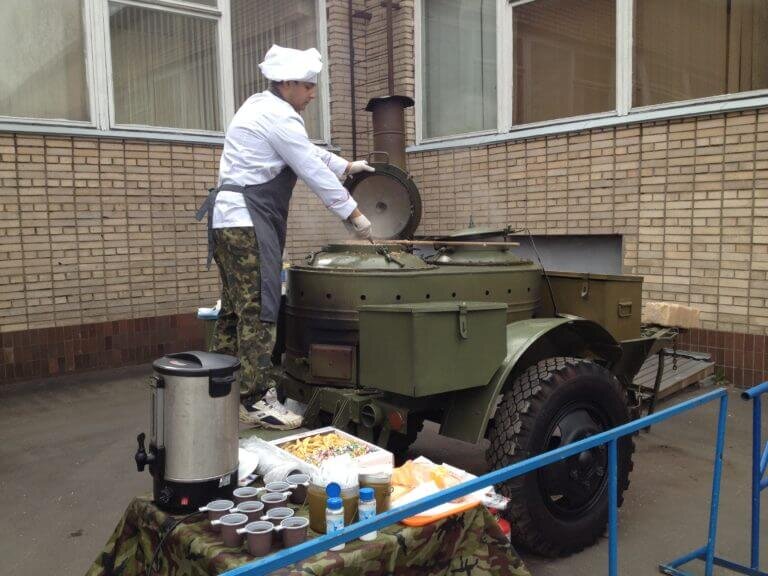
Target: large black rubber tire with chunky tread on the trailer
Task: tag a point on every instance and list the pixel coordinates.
(538, 400)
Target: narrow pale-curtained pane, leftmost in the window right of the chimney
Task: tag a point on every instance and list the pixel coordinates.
(459, 57)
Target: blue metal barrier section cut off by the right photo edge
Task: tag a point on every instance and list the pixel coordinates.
(759, 483)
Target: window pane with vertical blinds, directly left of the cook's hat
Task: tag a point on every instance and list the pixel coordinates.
(165, 69)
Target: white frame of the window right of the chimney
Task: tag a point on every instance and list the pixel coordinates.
(624, 112)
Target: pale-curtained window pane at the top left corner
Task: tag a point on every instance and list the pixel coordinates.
(42, 62)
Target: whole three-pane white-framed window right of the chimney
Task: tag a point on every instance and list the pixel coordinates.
(486, 68)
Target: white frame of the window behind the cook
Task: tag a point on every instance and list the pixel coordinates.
(100, 90)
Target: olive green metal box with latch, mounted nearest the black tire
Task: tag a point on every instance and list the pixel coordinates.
(431, 348)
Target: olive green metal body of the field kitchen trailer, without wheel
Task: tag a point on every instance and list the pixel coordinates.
(399, 316)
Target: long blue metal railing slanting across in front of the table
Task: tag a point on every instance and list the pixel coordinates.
(610, 437)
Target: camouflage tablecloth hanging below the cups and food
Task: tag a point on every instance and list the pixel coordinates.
(467, 544)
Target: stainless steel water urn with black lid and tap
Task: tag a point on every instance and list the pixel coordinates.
(193, 448)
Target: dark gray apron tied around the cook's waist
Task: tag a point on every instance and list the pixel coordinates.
(267, 204)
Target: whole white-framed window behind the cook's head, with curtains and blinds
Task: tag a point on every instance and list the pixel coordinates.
(149, 65)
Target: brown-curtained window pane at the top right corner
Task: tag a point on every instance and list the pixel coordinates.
(687, 49)
